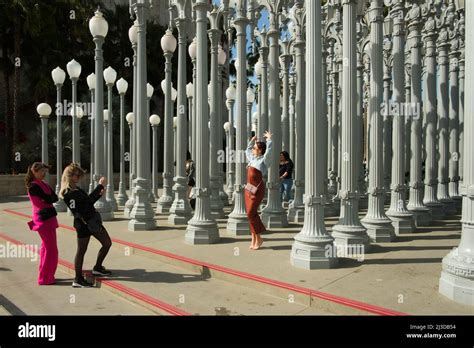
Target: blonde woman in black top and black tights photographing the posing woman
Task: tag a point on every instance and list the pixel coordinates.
(87, 221)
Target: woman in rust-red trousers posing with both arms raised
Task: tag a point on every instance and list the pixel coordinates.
(258, 155)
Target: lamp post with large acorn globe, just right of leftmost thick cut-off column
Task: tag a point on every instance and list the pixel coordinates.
(168, 44)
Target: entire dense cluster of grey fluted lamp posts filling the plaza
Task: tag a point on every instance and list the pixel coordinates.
(314, 64)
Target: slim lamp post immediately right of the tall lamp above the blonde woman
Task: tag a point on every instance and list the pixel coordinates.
(110, 75)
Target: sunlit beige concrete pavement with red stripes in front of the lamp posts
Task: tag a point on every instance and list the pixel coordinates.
(156, 267)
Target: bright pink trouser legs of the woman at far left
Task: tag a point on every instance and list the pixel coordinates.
(48, 257)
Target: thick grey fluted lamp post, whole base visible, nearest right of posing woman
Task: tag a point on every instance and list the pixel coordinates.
(313, 247)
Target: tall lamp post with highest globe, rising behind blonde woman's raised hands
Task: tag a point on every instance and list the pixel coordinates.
(99, 27)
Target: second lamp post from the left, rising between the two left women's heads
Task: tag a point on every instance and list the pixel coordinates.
(59, 76)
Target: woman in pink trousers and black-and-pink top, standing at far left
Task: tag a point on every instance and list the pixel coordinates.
(42, 197)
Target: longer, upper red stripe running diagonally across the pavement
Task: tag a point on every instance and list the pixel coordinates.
(367, 307)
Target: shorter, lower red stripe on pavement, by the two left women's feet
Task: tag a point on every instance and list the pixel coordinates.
(120, 287)
